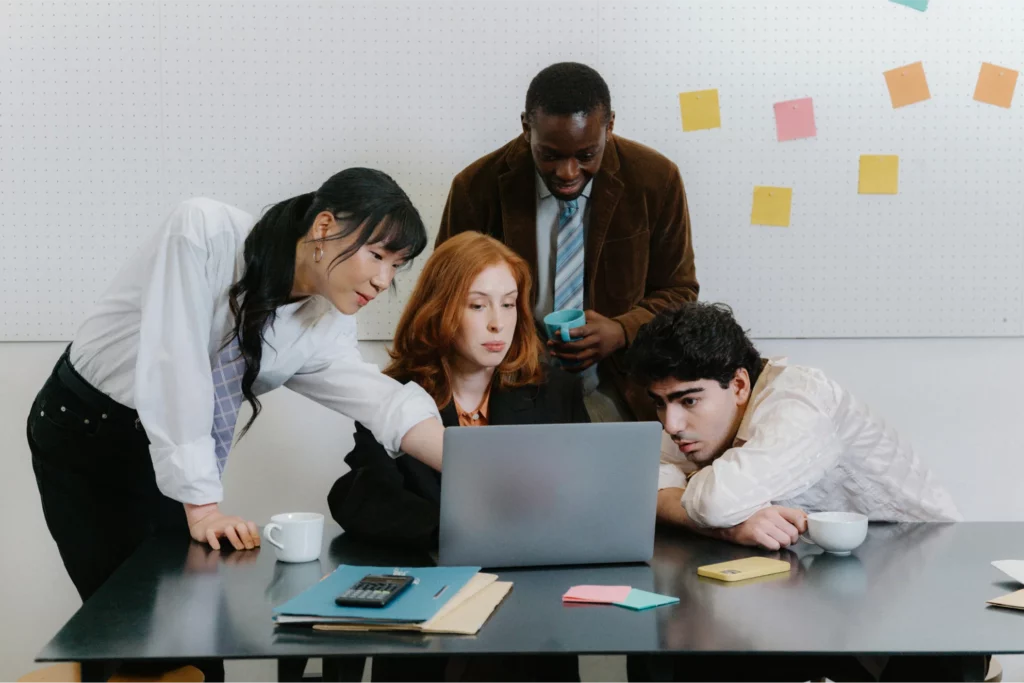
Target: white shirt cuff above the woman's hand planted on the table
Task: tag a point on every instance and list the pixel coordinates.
(188, 473)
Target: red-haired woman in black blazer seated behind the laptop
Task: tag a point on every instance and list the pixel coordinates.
(467, 337)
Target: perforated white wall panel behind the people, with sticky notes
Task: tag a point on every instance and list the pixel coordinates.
(113, 112)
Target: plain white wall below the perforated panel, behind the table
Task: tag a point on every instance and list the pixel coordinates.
(959, 401)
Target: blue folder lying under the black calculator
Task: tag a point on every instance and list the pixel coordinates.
(433, 588)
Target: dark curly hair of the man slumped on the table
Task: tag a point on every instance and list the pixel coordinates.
(697, 341)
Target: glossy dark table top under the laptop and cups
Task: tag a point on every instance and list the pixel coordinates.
(910, 589)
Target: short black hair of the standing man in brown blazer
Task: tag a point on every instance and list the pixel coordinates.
(568, 89)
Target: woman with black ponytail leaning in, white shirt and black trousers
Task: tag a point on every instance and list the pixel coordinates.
(139, 416)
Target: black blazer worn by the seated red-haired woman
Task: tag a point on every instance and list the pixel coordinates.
(397, 501)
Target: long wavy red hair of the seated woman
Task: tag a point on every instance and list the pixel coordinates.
(425, 339)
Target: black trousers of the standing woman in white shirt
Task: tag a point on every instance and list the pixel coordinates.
(97, 484)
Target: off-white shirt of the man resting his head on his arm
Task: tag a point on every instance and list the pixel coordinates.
(806, 443)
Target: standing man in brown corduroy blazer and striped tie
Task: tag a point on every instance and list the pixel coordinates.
(568, 186)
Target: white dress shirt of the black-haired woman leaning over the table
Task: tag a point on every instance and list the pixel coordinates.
(152, 338)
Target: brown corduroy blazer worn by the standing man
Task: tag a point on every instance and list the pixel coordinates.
(639, 254)
